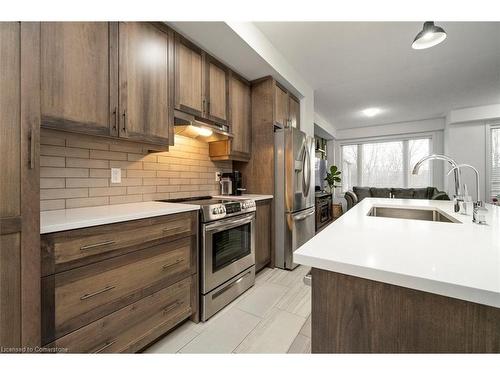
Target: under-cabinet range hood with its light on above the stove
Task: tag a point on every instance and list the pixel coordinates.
(189, 126)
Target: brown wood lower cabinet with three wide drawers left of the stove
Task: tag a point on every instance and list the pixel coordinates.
(125, 293)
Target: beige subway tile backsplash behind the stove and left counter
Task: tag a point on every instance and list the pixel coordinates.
(75, 171)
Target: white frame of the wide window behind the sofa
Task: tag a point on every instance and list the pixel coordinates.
(403, 138)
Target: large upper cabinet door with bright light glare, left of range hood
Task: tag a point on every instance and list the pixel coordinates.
(146, 107)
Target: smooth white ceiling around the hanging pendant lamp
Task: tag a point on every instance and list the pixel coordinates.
(355, 65)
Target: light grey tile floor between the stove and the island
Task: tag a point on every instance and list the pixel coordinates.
(271, 317)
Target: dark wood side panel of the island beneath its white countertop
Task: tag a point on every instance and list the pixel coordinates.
(356, 315)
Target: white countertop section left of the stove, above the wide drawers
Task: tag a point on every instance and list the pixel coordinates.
(74, 218)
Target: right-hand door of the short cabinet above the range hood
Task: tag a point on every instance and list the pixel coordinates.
(217, 91)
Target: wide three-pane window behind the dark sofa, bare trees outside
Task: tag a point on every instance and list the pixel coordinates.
(386, 163)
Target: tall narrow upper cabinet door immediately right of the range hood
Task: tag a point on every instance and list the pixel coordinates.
(241, 126)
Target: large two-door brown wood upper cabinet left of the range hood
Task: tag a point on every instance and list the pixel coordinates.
(109, 79)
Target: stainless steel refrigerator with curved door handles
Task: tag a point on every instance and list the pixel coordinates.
(294, 193)
